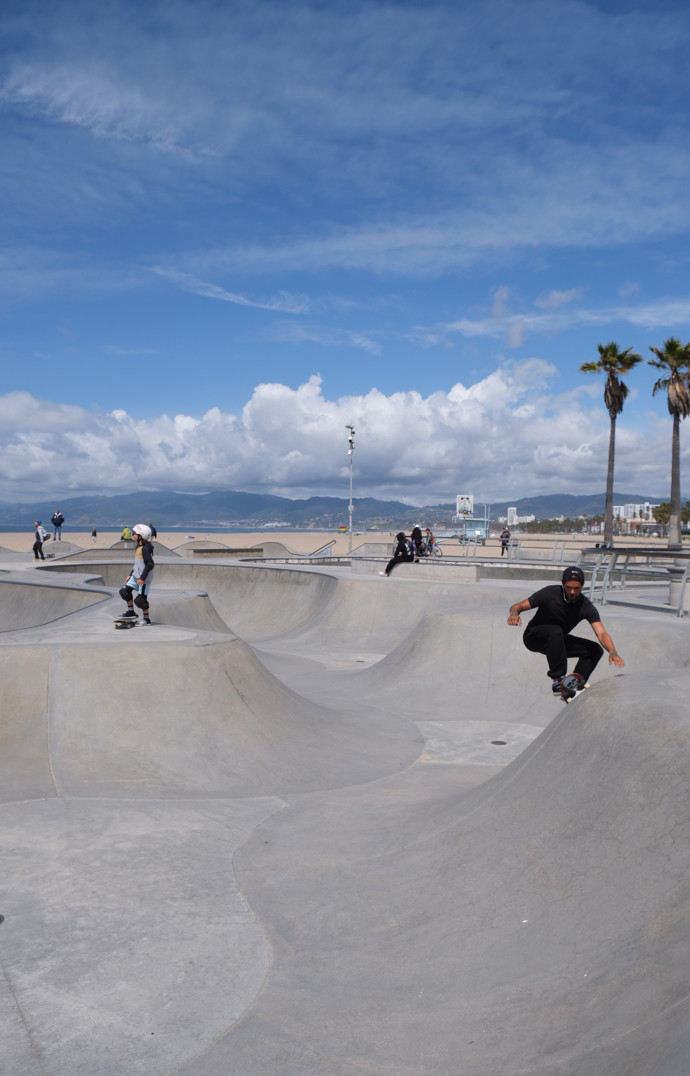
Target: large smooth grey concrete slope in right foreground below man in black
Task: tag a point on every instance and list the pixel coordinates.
(538, 925)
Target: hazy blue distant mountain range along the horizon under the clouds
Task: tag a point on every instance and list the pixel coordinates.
(230, 508)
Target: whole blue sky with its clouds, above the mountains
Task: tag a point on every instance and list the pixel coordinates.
(230, 230)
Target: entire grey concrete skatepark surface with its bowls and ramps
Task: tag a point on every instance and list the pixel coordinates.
(270, 834)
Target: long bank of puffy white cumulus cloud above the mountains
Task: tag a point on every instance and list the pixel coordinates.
(503, 437)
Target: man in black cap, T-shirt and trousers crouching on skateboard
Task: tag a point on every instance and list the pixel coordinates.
(559, 610)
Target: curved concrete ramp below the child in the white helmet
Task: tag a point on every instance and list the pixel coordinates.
(177, 719)
